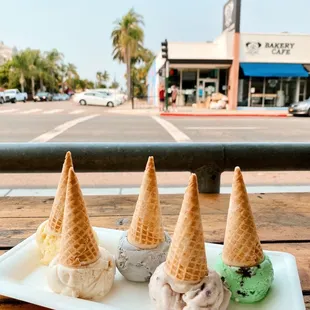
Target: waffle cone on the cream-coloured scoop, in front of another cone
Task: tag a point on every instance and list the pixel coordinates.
(78, 245)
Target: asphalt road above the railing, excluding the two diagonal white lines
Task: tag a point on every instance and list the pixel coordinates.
(25, 122)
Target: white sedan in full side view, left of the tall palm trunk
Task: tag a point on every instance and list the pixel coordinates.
(94, 98)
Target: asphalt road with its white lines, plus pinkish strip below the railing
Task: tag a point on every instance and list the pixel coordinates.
(67, 121)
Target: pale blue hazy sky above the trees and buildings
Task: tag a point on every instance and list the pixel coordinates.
(81, 29)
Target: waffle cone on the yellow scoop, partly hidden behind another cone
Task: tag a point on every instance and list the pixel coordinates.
(56, 216)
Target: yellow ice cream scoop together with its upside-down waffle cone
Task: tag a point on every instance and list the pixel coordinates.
(49, 232)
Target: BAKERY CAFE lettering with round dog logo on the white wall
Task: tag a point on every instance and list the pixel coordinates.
(275, 48)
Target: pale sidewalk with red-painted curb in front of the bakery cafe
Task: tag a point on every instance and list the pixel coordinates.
(201, 112)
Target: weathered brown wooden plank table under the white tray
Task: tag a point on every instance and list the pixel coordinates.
(283, 222)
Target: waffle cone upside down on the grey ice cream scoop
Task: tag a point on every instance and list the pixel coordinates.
(146, 229)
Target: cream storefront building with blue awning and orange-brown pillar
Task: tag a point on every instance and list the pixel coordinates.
(252, 69)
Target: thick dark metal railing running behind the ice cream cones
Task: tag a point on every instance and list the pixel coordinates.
(207, 160)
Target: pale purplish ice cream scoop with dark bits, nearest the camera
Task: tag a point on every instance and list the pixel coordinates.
(207, 294)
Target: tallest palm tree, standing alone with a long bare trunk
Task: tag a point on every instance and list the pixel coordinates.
(126, 38)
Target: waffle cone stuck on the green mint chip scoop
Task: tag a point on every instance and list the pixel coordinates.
(242, 246)
